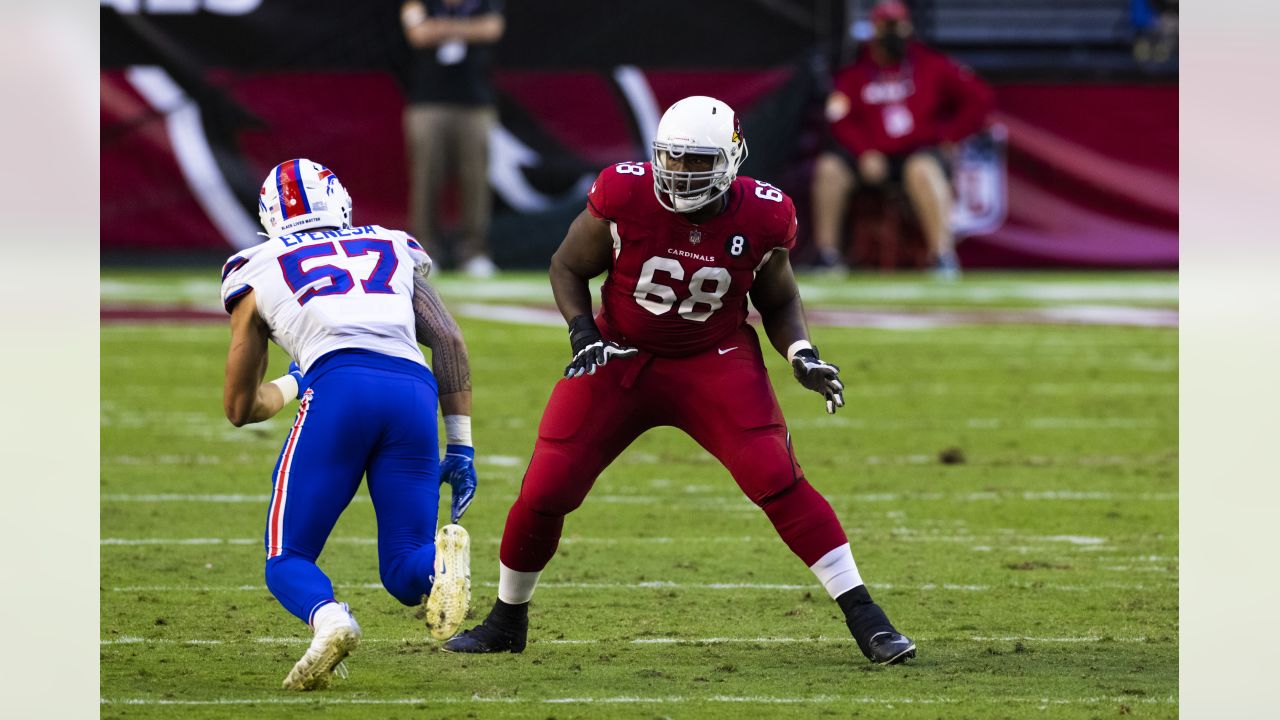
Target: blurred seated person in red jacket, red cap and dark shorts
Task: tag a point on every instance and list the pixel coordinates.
(895, 116)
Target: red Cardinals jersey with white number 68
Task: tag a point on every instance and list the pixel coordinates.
(676, 289)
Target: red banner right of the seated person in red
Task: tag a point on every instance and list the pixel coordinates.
(1092, 179)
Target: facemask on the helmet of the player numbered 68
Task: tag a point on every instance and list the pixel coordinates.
(689, 190)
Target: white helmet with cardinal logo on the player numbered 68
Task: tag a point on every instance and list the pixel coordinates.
(697, 126)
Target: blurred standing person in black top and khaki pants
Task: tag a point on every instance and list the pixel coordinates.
(451, 110)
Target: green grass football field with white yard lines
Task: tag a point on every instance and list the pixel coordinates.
(1040, 577)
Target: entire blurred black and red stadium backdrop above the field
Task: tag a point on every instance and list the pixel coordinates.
(1091, 151)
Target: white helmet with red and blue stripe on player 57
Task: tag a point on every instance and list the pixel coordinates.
(300, 195)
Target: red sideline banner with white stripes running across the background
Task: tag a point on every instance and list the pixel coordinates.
(1092, 172)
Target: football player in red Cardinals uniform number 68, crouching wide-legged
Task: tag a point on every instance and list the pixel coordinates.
(685, 241)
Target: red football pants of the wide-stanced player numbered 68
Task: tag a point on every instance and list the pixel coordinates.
(721, 398)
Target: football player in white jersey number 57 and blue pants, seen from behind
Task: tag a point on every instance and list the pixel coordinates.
(350, 306)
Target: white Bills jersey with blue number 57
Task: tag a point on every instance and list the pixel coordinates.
(330, 290)
